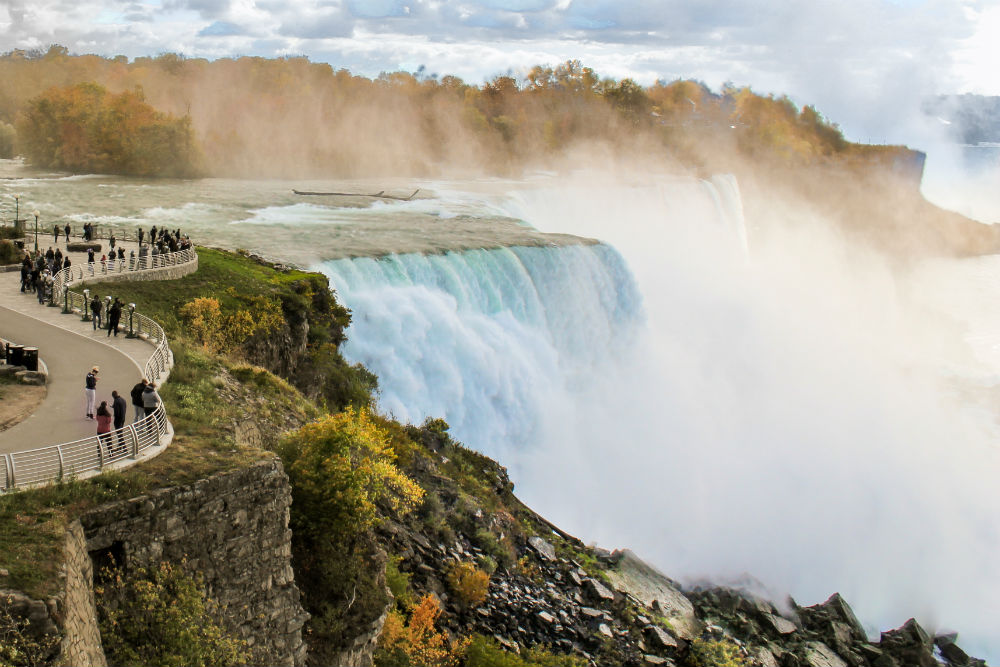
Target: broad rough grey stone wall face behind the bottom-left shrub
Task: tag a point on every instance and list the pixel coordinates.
(232, 528)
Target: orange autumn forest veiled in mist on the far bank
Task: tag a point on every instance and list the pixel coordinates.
(289, 117)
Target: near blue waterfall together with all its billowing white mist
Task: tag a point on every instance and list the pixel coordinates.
(802, 416)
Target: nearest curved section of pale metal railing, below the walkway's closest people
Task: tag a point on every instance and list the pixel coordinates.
(92, 454)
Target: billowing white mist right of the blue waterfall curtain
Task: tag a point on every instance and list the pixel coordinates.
(798, 414)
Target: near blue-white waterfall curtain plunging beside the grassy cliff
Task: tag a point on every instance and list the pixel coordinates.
(486, 338)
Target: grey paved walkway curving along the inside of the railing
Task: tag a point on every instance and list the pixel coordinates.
(69, 347)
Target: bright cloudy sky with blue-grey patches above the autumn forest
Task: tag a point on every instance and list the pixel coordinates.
(854, 59)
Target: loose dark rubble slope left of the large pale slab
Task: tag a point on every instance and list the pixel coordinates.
(546, 600)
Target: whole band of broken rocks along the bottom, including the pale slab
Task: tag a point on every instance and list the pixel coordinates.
(619, 610)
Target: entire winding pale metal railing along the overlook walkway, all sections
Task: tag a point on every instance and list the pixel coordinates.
(95, 453)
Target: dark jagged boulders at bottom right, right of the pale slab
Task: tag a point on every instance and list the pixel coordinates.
(823, 635)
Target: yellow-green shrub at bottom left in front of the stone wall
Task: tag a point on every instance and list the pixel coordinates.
(159, 617)
